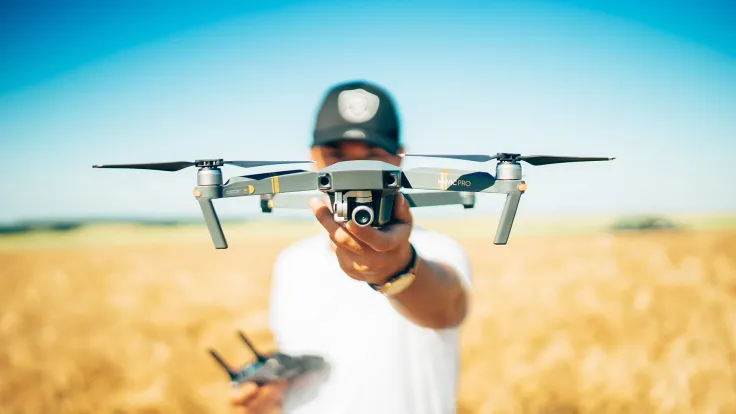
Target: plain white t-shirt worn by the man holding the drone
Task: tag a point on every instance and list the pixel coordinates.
(379, 362)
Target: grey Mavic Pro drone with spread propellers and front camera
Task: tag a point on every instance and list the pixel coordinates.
(363, 191)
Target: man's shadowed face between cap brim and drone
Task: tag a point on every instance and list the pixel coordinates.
(351, 150)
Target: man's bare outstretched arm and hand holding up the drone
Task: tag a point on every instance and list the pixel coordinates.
(437, 299)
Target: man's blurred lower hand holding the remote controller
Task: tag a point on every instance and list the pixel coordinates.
(249, 398)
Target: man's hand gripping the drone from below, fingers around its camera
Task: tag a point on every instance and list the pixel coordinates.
(365, 253)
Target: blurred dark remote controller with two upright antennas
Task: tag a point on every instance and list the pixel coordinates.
(268, 368)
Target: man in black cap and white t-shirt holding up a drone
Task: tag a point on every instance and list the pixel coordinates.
(390, 348)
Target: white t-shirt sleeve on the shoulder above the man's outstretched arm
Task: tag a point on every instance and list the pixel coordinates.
(442, 248)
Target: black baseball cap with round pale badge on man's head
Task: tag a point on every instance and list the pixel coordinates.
(359, 111)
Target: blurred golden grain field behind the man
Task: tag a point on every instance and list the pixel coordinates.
(118, 319)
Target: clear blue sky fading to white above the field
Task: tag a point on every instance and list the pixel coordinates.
(82, 84)
